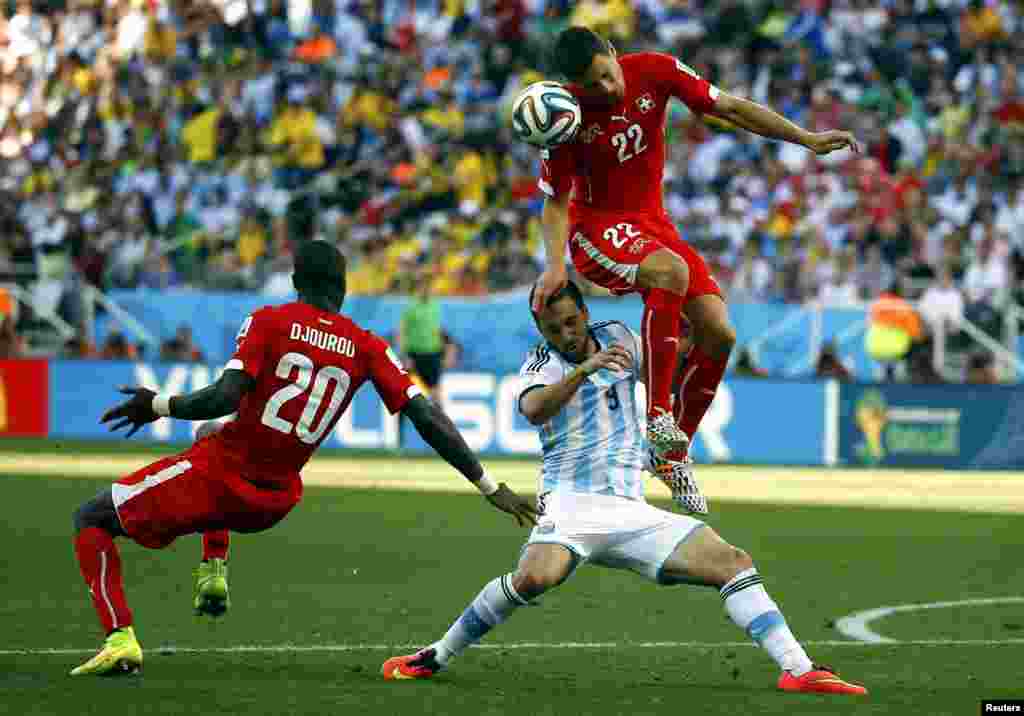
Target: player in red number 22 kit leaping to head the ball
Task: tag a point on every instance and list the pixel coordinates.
(605, 200)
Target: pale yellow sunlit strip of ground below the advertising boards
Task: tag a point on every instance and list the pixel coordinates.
(927, 490)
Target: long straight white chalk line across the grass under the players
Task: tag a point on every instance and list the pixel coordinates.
(304, 649)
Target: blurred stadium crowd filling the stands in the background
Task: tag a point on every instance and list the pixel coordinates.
(164, 144)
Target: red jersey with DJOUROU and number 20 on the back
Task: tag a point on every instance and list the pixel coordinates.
(308, 365)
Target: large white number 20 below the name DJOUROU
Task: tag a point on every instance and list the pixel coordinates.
(327, 378)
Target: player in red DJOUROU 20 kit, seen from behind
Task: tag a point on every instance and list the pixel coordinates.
(295, 371)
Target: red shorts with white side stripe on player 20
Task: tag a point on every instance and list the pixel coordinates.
(197, 491)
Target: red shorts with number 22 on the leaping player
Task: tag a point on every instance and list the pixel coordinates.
(608, 249)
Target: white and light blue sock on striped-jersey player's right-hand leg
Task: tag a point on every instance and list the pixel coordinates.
(752, 610)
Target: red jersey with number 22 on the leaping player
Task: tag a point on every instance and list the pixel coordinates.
(617, 161)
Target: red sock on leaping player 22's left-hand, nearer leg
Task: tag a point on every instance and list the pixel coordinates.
(660, 331)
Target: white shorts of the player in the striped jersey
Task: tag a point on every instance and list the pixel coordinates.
(613, 532)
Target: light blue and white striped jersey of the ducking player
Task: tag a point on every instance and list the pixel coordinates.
(595, 444)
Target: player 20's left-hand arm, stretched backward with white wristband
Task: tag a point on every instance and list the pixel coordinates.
(215, 401)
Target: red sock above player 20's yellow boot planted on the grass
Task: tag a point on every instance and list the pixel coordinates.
(101, 565)
